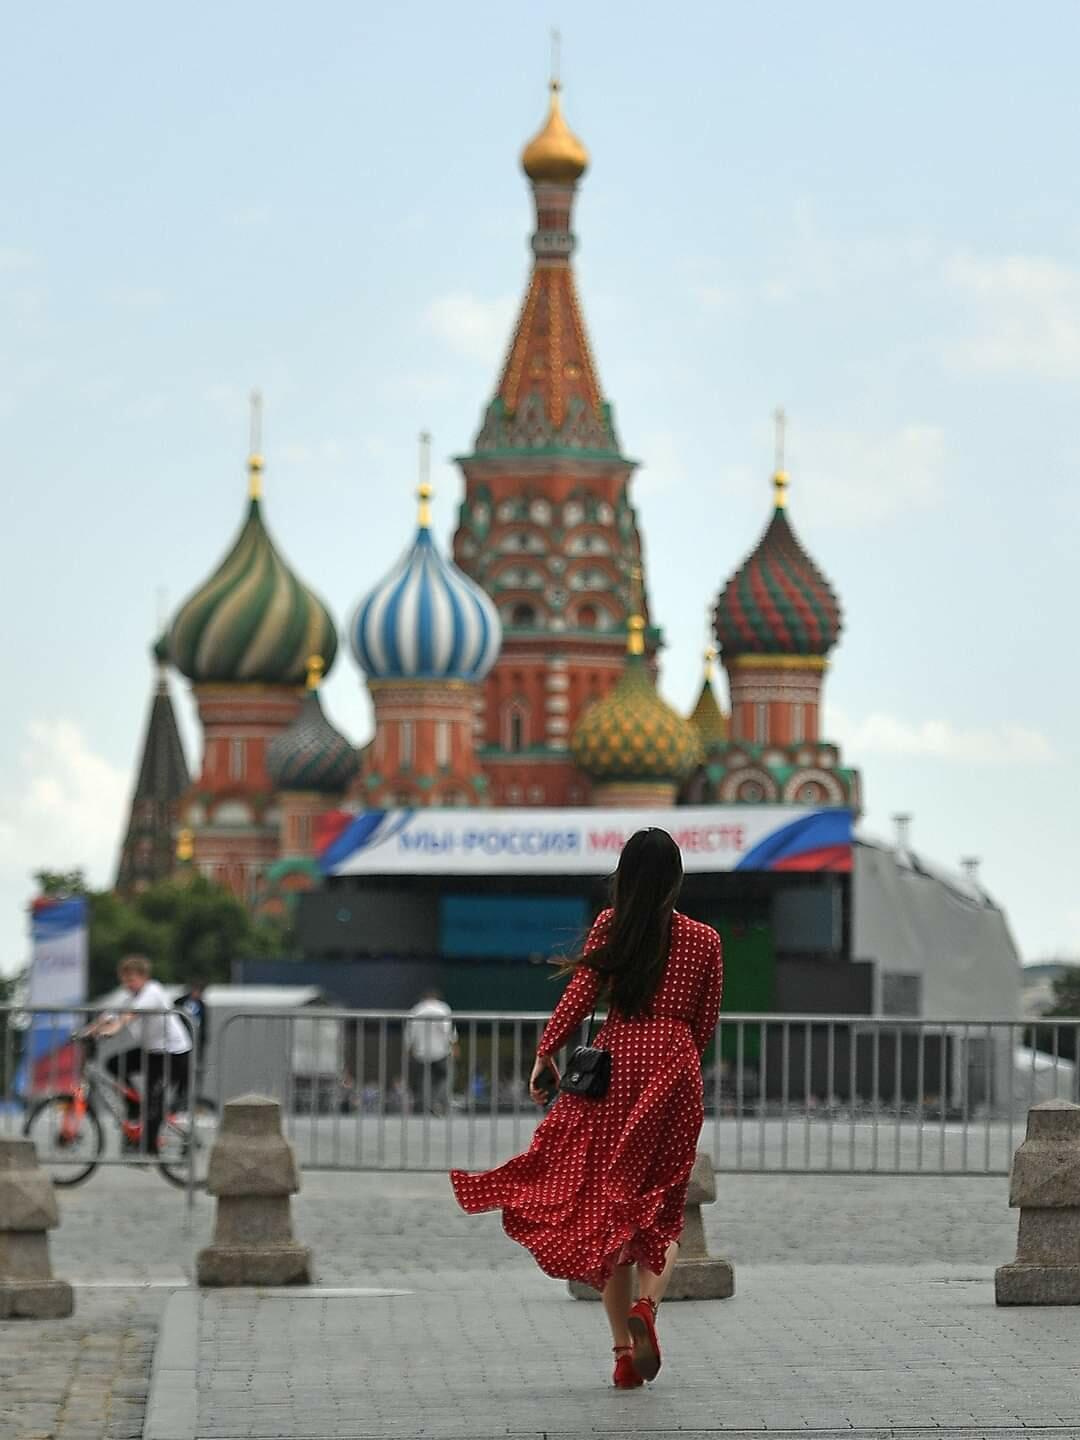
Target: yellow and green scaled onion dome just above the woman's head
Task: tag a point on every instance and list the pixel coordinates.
(633, 735)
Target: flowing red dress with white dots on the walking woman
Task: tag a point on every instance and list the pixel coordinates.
(606, 1182)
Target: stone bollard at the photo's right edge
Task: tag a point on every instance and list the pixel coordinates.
(1046, 1187)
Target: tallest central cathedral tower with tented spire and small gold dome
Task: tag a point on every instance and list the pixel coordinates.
(546, 525)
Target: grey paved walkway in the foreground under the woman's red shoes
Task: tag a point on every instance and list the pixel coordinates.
(918, 1350)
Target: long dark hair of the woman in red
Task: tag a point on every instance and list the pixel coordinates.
(634, 951)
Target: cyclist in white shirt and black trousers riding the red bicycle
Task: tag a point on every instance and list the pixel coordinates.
(162, 1042)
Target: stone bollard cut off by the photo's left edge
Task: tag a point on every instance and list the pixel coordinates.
(28, 1212)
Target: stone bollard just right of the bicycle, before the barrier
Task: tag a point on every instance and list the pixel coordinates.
(254, 1174)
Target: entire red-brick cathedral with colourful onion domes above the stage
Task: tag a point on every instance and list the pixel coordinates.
(522, 672)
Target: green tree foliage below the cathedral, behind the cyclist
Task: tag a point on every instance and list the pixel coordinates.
(186, 928)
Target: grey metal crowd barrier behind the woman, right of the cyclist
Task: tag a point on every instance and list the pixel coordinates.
(784, 1094)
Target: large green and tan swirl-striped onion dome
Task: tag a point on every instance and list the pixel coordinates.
(253, 623)
